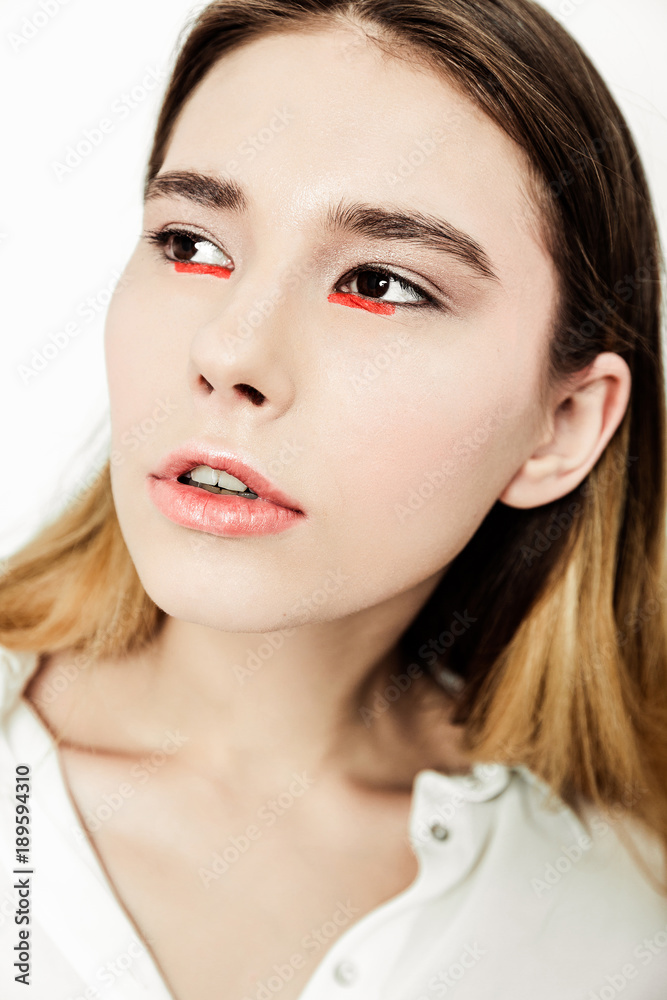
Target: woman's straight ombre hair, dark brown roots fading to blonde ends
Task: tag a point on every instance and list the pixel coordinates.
(563, 665)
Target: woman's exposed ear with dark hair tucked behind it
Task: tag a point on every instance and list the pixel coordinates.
(581, 421)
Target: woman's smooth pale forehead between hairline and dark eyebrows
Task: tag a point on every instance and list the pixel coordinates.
(305, 118)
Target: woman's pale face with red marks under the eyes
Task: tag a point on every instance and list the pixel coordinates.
(393, 429)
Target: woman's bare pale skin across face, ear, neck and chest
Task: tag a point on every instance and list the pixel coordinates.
(361, 446)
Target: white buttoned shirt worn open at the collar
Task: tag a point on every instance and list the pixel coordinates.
(514, 899)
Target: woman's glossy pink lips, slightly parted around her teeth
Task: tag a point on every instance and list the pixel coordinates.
(220, 513)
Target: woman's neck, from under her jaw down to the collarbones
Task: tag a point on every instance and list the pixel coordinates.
(311, 697)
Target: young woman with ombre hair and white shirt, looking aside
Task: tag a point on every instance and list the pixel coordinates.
(347, 676)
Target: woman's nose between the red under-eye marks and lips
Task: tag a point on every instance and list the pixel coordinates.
(242, 357)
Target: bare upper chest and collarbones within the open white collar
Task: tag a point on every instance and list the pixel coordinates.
(323, 846)
